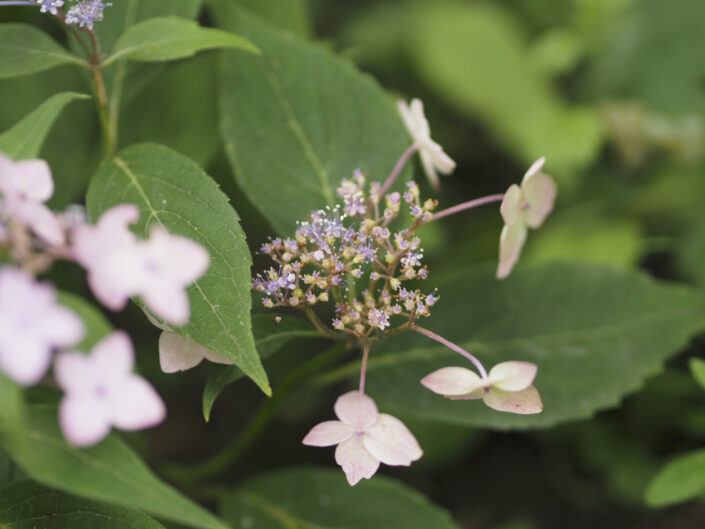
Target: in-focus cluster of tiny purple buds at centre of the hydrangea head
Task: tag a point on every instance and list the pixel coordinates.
(334, 252)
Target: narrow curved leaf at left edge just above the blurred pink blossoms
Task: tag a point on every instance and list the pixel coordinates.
(25, 139)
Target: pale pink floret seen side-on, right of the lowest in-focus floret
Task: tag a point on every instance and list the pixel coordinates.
(508, 386)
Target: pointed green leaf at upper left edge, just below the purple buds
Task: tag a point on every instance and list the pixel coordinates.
(25, 49)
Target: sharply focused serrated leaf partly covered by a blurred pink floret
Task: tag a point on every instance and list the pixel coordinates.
(174, 192)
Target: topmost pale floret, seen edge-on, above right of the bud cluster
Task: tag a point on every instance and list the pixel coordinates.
(433, 159)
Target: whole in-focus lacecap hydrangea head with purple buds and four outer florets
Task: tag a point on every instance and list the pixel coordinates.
(358, 258)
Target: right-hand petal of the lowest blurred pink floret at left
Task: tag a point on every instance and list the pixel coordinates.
(135, 405)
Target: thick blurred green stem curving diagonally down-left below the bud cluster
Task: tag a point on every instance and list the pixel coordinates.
(224, 459)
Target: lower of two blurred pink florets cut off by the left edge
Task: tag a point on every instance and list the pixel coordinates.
(32, 326)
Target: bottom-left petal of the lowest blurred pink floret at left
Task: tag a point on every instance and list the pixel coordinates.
(83, 421)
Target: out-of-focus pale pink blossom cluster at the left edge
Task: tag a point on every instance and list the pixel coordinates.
(100, 389)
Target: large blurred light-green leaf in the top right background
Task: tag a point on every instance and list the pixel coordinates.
(499, 84)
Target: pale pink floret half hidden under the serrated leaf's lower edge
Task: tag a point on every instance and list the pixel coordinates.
(178, 353)
